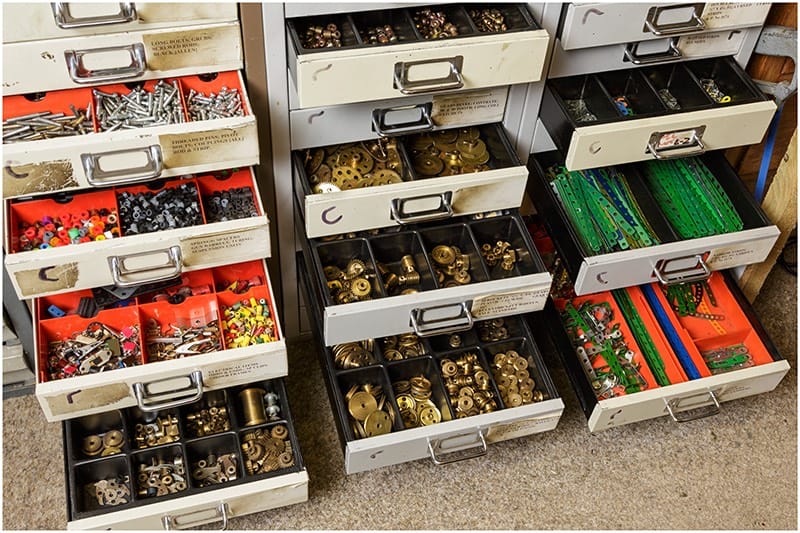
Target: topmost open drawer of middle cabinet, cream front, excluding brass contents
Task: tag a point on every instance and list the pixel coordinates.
(472, 60)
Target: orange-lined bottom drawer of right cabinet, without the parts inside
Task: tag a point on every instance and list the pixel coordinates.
(688, 395)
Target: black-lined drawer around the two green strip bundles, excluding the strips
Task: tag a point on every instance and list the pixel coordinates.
(675, 259)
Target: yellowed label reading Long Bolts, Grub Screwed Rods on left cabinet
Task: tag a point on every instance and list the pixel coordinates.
(194, 48)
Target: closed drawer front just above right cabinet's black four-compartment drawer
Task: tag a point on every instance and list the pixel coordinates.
(660, 51)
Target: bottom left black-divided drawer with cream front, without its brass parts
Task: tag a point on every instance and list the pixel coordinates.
(195, 505)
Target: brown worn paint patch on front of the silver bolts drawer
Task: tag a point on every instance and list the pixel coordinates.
(29, 178)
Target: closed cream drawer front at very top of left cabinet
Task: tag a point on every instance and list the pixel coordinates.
(37, 21)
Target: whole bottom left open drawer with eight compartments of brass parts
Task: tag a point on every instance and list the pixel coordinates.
(184, 467)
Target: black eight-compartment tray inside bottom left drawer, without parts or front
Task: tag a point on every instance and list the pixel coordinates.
(81, 469)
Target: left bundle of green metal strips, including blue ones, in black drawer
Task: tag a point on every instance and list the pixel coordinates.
(602, 209)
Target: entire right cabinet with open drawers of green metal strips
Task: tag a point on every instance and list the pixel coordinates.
(664, 86)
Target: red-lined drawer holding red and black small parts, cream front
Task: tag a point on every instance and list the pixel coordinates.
(131, 255)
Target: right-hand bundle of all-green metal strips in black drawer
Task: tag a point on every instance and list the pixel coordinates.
(691, 198)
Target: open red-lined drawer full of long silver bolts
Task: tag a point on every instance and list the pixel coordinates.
(88, 144)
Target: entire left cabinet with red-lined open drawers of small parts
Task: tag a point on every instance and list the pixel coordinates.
(134, 222)
